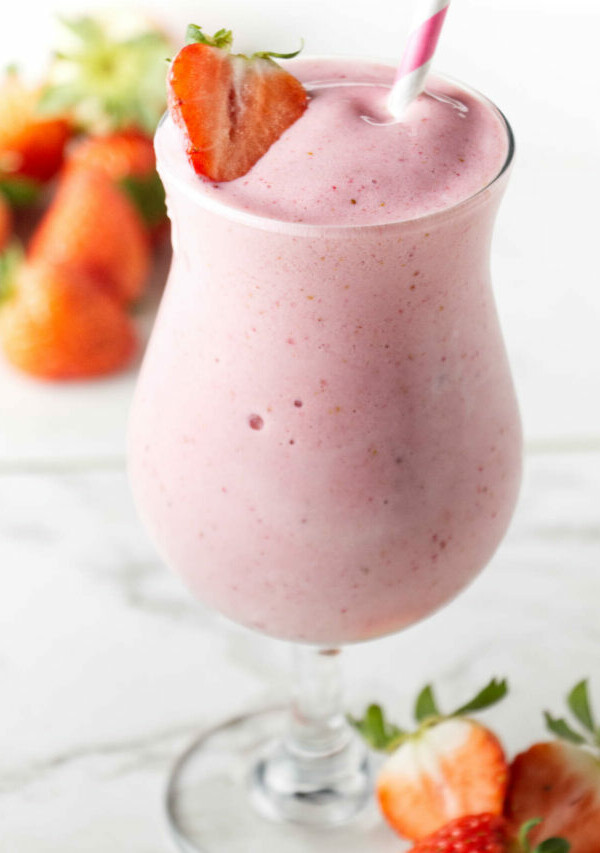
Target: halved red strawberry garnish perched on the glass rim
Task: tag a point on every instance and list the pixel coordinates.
(231, 107)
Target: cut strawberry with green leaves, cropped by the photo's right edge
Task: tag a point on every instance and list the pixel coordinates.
(560, 781)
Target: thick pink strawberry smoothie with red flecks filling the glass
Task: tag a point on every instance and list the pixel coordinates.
(325, 441)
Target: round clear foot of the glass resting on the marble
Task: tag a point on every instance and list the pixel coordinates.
(231, 792)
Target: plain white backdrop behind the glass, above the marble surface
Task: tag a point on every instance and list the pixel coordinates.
(536, 60)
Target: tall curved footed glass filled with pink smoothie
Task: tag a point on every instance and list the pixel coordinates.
(325, 444)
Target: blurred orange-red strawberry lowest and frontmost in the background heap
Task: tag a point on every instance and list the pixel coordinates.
(57, 323)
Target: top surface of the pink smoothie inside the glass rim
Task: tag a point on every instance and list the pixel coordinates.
(345, 162)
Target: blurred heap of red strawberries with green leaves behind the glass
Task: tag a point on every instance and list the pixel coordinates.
(89, 126)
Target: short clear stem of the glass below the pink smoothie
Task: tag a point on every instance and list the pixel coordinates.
(318, 723)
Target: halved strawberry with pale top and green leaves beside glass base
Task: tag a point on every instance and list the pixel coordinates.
(450, 767)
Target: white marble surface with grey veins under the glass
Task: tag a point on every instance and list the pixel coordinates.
(107, 667)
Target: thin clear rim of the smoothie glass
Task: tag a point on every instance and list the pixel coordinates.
(270, 223)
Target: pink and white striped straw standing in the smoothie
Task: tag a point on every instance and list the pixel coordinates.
(416, 59)
